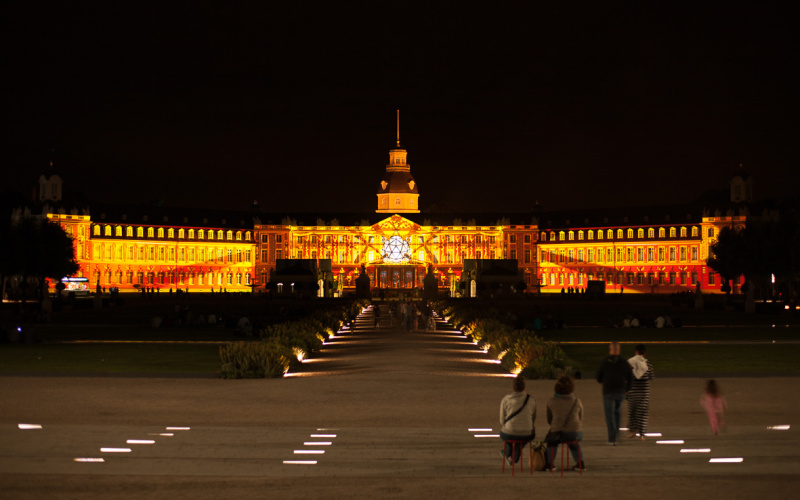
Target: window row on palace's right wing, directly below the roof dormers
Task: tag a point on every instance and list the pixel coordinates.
(628, 254)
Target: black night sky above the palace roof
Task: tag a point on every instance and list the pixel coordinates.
(215, 104)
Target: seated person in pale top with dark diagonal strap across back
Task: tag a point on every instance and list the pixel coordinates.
(518, 419)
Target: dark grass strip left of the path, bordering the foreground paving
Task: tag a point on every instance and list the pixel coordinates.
(110, 358)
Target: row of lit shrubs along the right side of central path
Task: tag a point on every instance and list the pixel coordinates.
(519, 351)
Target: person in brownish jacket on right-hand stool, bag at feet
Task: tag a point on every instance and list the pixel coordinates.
(564, 414)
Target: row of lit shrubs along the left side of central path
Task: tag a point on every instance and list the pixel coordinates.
(285, 345)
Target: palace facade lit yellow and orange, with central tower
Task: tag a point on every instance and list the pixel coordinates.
(644, 250)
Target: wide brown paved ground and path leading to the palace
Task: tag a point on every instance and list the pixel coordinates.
(400, 405)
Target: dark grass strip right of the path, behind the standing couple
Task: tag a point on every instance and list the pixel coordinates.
(705, 359)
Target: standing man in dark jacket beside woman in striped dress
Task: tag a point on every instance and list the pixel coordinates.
(616, 376)
